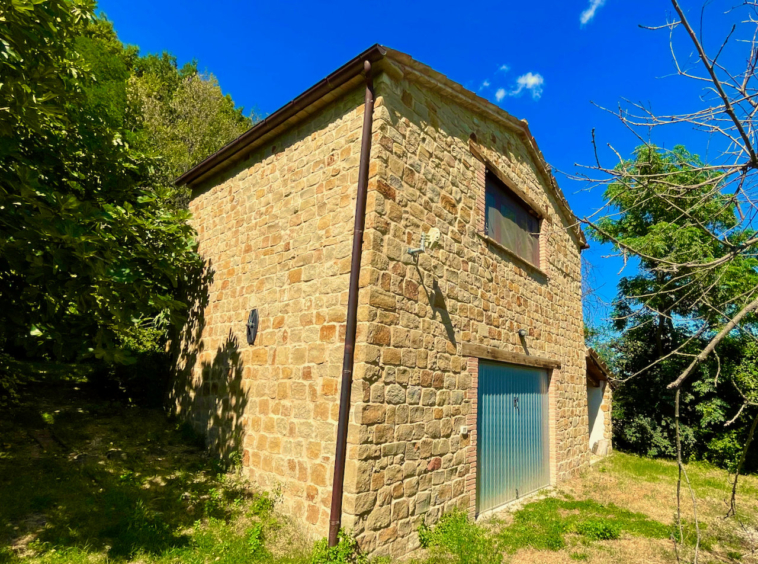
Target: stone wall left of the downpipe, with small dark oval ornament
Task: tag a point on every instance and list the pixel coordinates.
(276, 231)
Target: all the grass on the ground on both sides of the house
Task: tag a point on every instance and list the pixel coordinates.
(89, 480)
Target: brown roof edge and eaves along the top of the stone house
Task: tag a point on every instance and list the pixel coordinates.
(347, 77)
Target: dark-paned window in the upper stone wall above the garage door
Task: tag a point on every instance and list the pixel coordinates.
(510, 222)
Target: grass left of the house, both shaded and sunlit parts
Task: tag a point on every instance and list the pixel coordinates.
(86, 479)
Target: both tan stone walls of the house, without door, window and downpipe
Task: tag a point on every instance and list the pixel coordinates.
(276, 231)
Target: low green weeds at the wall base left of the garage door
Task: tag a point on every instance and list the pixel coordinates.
(456, 537)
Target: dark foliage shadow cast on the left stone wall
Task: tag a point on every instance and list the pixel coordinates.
(207, 391)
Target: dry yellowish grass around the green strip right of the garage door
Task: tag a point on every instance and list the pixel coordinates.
(649, 487)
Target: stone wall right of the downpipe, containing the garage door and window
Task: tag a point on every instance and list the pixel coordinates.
(408, 461)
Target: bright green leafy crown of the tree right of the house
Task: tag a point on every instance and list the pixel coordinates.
(668, 207)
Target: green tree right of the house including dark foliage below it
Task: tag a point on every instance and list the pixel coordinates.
(665, 207)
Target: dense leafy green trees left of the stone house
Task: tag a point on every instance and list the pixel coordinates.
(93, 248)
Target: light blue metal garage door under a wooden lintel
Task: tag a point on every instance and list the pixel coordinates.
(513, 445)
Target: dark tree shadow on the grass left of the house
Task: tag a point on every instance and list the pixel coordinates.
(81, 472)
